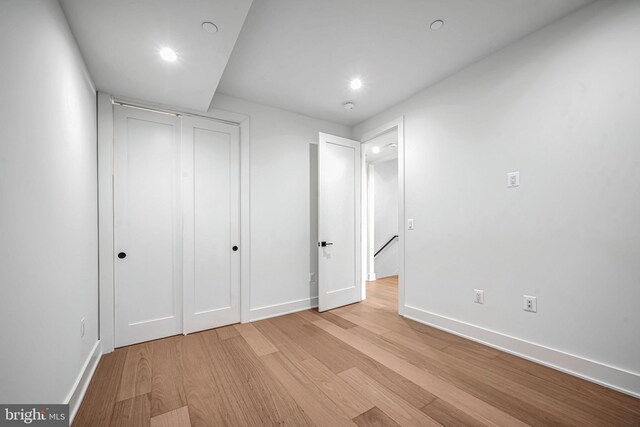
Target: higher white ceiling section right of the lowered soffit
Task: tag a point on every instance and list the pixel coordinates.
(300, 55)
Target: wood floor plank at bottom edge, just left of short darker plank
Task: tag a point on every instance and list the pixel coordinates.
(320, 409)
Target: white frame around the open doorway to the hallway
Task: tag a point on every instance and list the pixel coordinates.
(365, 138)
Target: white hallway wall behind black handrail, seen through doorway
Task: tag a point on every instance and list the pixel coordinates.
(385, 178)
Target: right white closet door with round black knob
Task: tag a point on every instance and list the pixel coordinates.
(211, 171)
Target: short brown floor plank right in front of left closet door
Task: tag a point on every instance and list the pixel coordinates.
(136, 374)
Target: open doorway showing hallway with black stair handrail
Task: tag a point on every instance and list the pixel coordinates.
(381, 214)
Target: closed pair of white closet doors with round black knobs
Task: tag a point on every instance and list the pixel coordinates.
(176, 216)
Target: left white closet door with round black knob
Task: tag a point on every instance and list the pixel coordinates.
(147, 224)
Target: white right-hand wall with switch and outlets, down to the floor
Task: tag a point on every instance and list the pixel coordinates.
(561, 106)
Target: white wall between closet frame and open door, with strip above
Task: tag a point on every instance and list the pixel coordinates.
(282, 195)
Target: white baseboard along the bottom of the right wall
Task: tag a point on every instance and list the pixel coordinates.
(600, 373)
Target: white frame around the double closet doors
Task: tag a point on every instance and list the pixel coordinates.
(106, 255)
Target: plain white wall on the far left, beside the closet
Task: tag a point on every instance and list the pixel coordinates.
(48, 227)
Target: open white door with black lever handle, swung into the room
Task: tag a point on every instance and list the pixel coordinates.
(338, 222)
